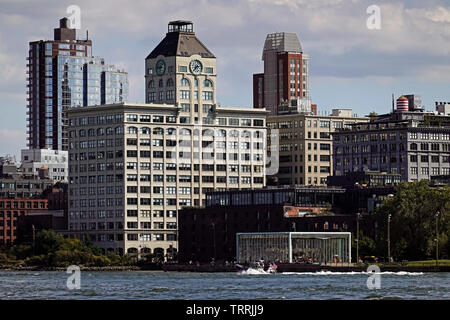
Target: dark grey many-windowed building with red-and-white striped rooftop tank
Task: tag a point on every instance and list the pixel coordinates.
(414, 144)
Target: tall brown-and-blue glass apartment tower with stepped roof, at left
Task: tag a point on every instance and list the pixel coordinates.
(63, 74)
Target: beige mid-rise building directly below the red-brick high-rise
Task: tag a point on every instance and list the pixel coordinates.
(306, 145)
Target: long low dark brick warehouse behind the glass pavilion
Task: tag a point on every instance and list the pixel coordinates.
(210, 232)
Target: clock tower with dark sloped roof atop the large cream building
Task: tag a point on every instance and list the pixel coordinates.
(182, 71)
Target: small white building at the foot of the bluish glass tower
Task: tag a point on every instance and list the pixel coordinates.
(56, 161)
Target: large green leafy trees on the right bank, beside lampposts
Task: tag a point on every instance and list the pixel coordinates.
(413, 221)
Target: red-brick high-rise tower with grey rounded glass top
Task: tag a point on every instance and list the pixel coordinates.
(285, 77)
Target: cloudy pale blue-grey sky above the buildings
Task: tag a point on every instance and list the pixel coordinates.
(351, 65)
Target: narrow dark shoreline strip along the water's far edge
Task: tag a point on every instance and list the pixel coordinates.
(206, 268)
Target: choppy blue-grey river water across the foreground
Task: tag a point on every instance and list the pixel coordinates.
(252, 285)
